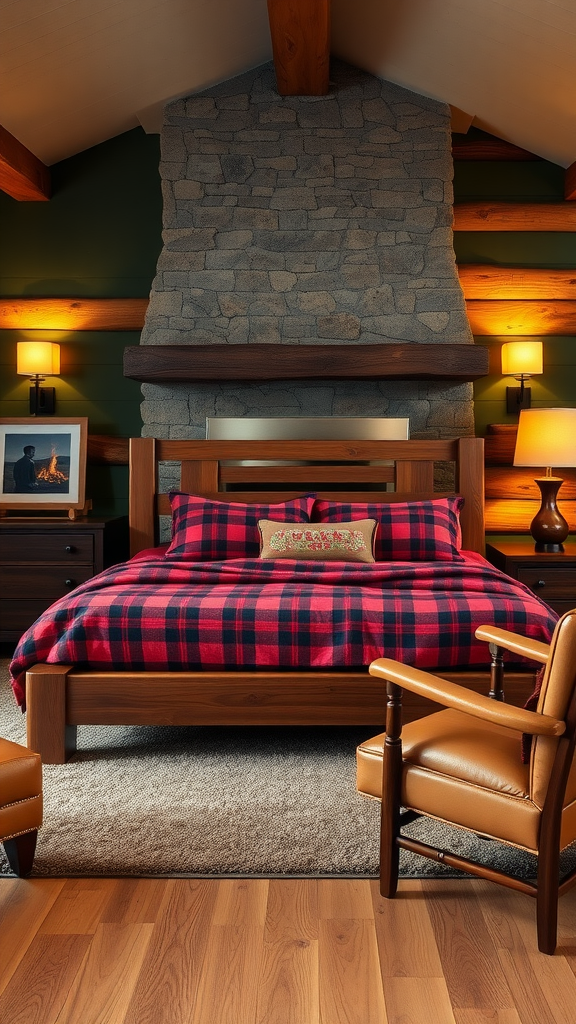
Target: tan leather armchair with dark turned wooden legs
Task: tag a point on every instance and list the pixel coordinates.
(464, 766)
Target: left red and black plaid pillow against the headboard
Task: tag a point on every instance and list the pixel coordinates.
(211, 531)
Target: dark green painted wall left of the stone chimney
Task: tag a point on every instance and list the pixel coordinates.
(99, 237)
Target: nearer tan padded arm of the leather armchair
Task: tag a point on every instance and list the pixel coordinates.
(461, 699)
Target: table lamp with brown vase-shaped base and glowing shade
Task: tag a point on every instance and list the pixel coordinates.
(548, 438)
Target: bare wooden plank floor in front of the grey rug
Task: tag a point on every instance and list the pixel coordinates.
(278, 952)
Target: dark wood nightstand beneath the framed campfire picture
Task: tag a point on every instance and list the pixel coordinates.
(42, 560)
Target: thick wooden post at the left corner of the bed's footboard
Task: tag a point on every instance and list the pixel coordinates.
(48, 733)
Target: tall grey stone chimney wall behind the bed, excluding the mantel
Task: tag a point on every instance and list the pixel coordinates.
(307, 221)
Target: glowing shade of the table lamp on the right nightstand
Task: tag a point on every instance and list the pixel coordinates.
(547, 438)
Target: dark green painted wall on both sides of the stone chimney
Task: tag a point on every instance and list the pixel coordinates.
(100, 236)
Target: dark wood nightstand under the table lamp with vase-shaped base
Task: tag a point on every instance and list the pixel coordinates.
(552, 576)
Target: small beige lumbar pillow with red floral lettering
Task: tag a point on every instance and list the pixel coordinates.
(345, 542)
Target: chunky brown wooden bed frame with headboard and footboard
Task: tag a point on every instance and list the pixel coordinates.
(61, 698)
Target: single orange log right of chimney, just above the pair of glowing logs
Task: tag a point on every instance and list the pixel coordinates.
(488, 217)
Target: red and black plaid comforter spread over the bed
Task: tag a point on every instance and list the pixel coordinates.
(154, 614)
